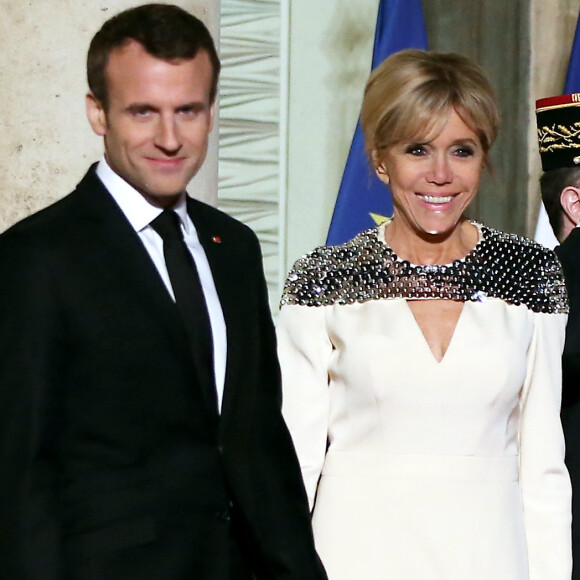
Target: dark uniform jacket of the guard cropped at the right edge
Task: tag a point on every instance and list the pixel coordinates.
(569, 254)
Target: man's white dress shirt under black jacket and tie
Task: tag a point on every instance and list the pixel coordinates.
(140, 213)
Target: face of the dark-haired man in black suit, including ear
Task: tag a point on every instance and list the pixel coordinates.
(158, 120)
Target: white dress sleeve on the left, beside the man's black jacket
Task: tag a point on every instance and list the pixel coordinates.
(304, 349)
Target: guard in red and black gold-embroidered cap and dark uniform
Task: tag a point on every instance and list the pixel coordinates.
(559, 139)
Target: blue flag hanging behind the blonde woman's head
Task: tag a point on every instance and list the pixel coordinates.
(400, 25)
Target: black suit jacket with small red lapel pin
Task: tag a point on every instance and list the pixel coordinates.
(112, 465)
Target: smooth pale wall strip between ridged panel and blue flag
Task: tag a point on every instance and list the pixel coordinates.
(330, 57)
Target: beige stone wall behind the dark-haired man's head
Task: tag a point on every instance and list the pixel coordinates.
(46, 144)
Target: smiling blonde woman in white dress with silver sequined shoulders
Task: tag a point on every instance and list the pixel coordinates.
(421, 360)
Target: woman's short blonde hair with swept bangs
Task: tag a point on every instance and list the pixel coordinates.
(409, 96)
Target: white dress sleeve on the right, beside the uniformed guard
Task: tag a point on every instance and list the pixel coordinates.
(544, 480)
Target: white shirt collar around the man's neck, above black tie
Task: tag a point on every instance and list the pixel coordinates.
(138, 211)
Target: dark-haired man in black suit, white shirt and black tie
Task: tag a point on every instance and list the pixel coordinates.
(140, 427)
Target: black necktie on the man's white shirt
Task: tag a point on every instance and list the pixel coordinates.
(189, 299)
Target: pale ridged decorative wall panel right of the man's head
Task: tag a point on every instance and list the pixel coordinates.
(252, 124)
